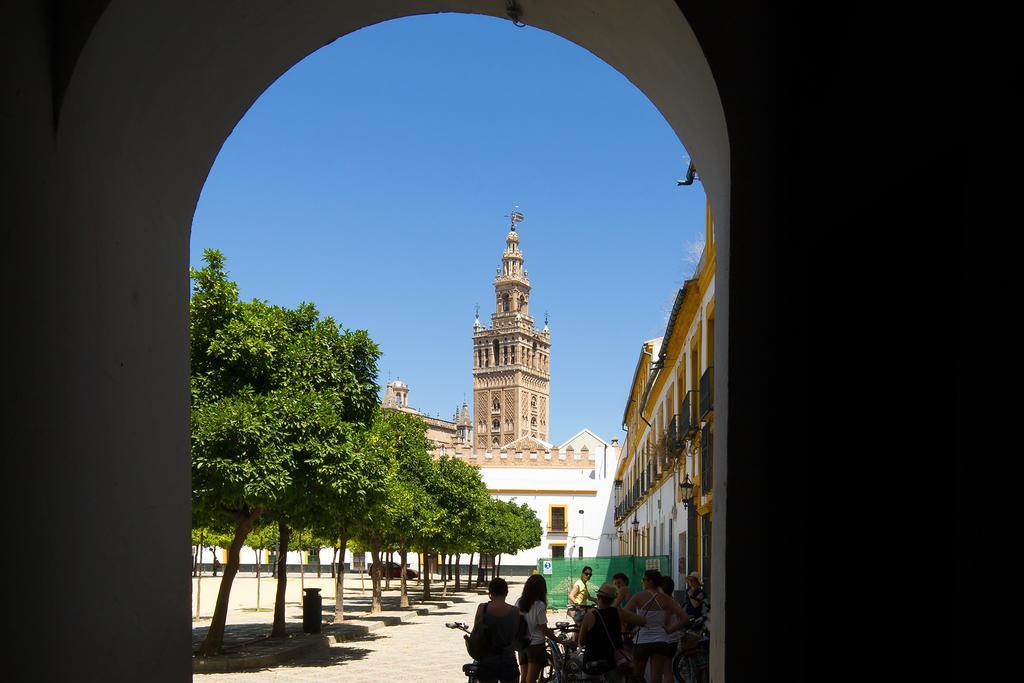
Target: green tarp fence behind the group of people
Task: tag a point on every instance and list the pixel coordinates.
(562, 573)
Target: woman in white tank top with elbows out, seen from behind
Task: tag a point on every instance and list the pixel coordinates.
(652, 642)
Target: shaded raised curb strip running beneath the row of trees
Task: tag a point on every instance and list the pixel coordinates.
(297, 645)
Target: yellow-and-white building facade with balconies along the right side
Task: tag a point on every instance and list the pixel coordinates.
(665, 481)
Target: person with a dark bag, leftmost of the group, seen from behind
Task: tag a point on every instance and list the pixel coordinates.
(496, 627)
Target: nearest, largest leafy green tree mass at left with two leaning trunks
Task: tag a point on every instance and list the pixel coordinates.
(277, 394)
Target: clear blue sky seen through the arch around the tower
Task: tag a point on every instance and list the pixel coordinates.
(373, 180)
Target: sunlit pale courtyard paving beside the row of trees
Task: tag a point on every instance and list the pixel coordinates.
(421, 650)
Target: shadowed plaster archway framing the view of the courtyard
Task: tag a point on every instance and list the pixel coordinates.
(149, 100)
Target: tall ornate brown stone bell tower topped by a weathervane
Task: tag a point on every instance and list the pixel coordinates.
(511, 372)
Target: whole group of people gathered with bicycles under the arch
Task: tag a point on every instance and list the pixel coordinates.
(647, 625)
